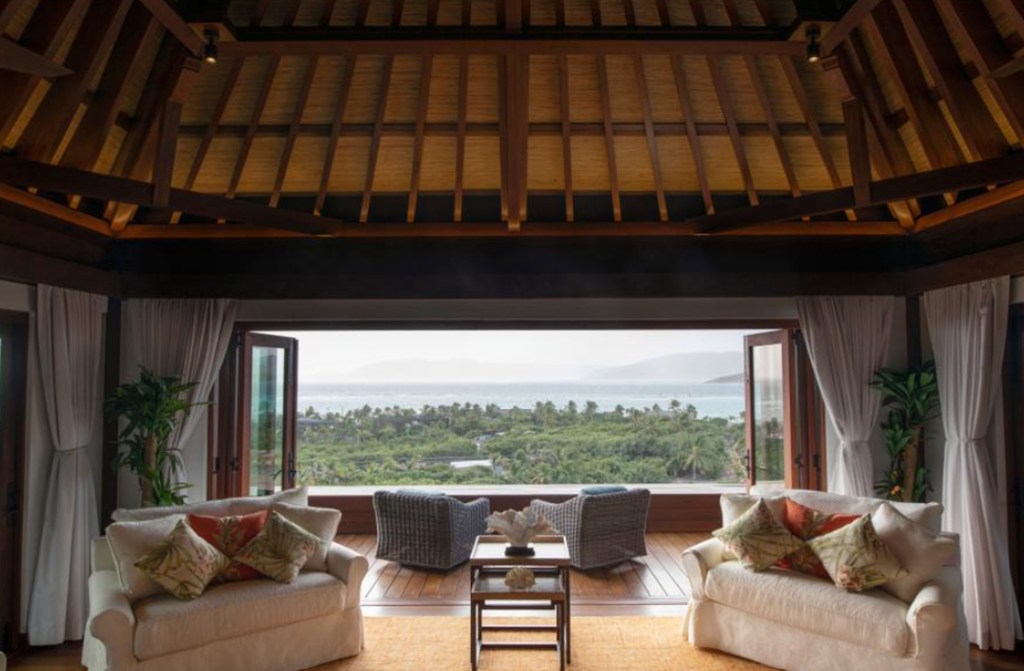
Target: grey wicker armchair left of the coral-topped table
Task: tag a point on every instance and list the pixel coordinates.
(430, 531)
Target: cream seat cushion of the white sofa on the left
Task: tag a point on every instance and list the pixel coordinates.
(165, 625)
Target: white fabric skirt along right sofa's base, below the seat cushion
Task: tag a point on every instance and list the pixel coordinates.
(716, 626)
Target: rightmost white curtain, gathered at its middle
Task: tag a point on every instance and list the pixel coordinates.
(968, 327)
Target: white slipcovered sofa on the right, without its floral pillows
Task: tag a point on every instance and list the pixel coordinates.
(797, 622)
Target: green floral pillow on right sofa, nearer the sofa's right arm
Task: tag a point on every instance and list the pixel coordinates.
(856, 558)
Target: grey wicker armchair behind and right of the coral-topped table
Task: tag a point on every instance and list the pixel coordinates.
(602, 530)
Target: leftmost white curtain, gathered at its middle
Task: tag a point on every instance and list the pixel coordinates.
(69, 329)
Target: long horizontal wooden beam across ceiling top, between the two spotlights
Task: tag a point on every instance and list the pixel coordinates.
(445, 40)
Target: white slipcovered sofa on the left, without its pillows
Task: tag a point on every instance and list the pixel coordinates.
(258, 625)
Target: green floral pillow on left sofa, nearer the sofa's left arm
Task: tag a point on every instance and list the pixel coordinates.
(184, 564)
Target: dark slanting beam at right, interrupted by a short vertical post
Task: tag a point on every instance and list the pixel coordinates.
(933, 183)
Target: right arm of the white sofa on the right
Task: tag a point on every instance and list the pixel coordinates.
(934, 617)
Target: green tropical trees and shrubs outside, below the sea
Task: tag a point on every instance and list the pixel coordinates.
(467, 444)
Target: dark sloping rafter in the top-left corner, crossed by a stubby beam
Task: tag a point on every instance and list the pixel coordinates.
(45, 35)
